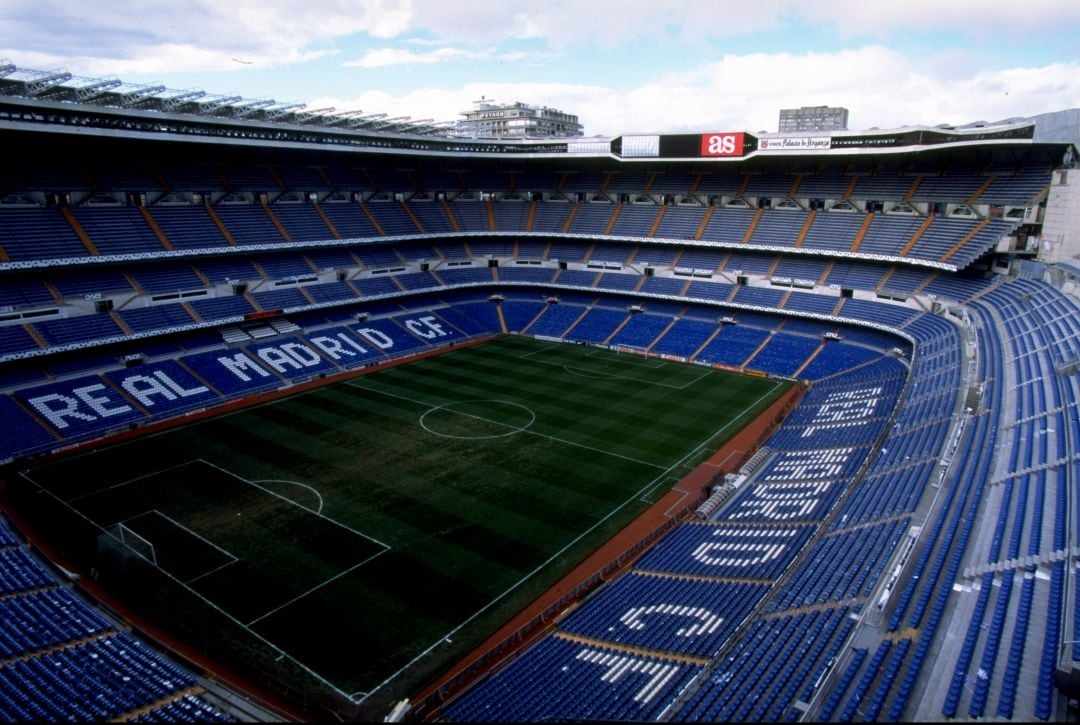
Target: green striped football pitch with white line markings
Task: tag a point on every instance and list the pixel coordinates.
(374, 531)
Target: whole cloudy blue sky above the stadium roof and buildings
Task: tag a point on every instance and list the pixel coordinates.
(626, 66)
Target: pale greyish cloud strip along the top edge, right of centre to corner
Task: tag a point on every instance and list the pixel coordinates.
(609, 23)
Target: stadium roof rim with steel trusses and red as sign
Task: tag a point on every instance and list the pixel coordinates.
(56, 101)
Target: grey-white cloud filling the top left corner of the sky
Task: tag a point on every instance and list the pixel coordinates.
(154, 36)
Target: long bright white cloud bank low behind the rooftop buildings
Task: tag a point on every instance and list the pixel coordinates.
(879, 86)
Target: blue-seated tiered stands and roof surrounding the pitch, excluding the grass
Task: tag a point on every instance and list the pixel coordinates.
(902, 547)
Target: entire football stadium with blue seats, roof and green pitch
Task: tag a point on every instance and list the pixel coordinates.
(312, 415)
